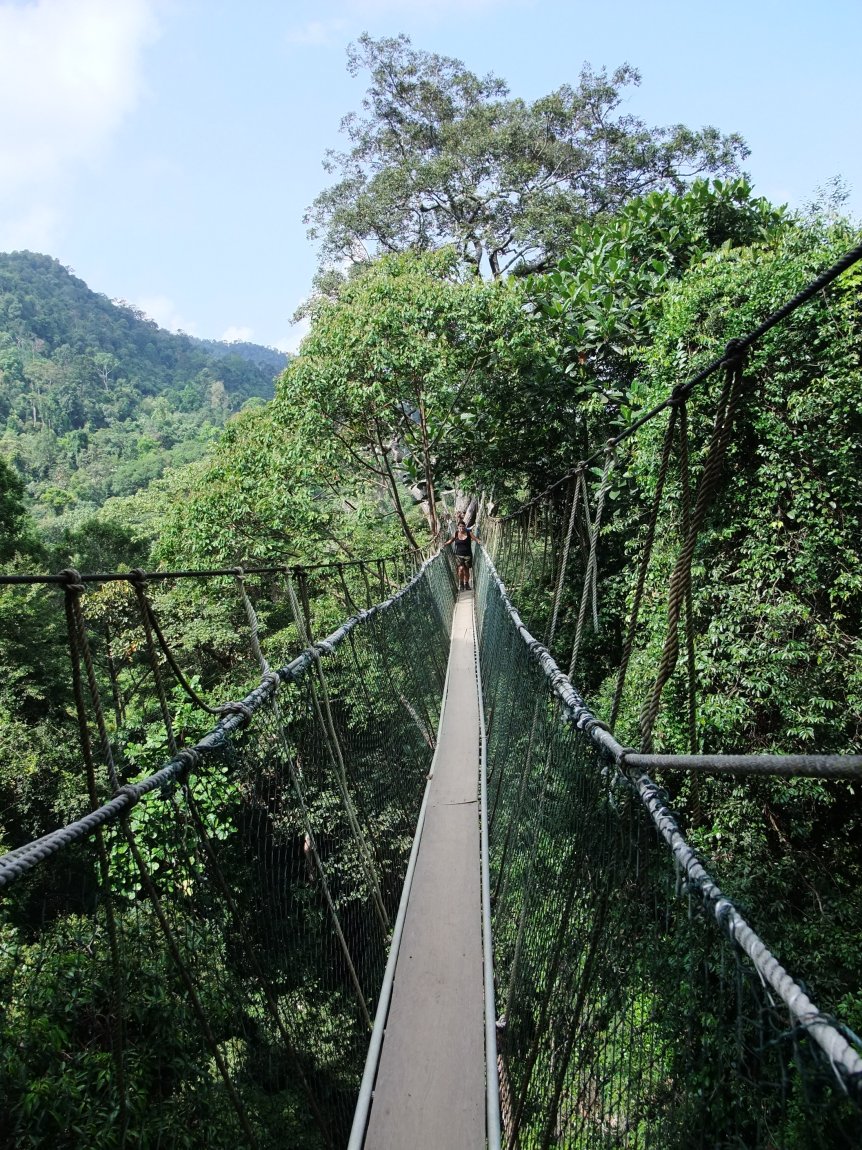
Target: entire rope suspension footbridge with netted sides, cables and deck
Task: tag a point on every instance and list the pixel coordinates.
(202, 955)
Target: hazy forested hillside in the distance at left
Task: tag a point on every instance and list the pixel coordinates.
(96, 400)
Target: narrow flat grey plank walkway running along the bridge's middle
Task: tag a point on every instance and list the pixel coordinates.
(430, 1088)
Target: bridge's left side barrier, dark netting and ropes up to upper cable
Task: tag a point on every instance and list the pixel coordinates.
(196, 960)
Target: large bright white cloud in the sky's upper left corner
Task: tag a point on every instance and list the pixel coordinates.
(71, 73)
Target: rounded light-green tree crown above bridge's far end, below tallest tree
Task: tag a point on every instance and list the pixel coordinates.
(422, 377)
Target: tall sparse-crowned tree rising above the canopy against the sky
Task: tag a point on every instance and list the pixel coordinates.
(445, 157)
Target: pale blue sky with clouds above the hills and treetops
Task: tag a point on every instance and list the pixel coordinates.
(167, 150)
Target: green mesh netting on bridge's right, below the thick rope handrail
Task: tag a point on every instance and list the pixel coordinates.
(629, 1014)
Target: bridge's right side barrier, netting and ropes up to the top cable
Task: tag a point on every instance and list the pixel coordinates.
(636, 1005)
